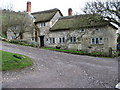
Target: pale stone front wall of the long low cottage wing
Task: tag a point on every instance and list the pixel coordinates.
(83, 39)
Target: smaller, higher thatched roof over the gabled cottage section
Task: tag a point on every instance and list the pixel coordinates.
(47, 15)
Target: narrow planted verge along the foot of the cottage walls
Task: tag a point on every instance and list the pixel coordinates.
(94, 53)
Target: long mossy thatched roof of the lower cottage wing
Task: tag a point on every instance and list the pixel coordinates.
(79, 21)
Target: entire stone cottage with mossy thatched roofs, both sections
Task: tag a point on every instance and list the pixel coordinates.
(80, 32)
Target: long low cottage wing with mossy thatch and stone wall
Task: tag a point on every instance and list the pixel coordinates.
(83, 32)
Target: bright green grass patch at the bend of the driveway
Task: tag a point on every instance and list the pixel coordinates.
(12, 61)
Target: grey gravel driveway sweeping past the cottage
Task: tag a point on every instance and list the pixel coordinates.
(53, 69)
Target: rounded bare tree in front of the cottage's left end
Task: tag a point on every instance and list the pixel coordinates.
(21, 24)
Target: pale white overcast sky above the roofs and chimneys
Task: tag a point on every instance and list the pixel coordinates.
(41, 5)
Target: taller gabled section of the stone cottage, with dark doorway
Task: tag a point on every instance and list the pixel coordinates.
(44, 20)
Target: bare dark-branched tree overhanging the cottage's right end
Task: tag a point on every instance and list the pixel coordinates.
(110, 10)
